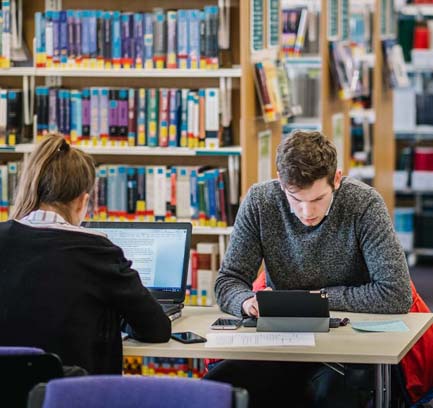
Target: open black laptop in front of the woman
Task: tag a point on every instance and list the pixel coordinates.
(159, 253)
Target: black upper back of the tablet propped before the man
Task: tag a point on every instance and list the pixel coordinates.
(292, 303)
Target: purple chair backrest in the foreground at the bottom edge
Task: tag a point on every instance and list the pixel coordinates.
(116, 391)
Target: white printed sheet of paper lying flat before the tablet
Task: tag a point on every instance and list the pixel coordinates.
(259, 339)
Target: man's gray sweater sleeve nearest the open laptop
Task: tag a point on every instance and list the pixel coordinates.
(242, 259)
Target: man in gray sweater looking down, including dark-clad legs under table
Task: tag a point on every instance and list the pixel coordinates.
(313, 229)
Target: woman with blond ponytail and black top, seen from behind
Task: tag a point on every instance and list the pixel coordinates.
(64, 288)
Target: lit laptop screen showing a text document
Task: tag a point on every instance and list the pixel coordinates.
(156, 254)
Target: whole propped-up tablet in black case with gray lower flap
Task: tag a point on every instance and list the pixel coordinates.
(293, 311)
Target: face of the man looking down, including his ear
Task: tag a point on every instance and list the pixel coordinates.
(311, 204)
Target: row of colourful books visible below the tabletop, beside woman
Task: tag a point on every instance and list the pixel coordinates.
(164, 366)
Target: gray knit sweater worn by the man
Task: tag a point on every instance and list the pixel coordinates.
(354, 253)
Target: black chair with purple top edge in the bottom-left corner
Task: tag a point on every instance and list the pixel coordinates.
(21, 368)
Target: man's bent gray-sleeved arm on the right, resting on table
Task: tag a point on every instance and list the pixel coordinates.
(389, 290)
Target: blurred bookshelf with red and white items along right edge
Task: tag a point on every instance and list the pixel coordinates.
(414, 133)
